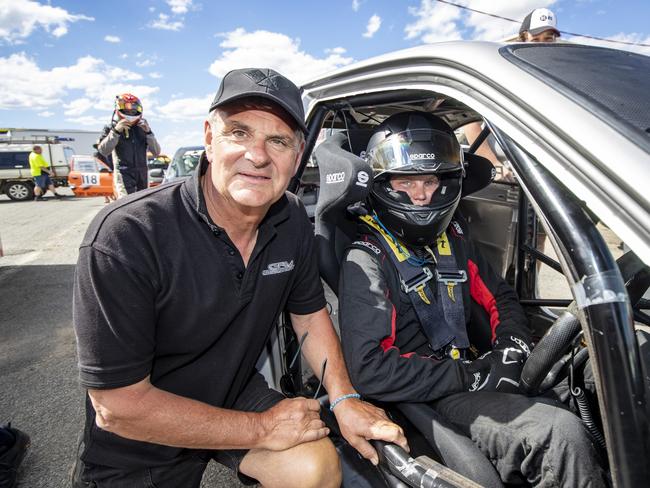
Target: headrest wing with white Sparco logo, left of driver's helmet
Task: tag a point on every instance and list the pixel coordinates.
(344, 178)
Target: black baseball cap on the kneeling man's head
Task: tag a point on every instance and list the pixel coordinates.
(263, 83)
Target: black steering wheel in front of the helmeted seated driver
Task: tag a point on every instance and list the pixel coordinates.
(545, 363)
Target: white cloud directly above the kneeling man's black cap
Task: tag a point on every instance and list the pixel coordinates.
(273, 50)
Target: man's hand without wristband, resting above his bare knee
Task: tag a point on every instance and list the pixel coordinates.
(291, 422)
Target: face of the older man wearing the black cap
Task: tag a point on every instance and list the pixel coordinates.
(253, 154)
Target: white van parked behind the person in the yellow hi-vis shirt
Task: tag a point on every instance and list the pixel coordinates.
(15, 176)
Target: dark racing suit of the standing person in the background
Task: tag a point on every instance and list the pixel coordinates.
(129, 154)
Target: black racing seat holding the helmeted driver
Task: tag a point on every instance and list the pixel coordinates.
(345, 181)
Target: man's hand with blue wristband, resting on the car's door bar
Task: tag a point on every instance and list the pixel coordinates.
(360, 421)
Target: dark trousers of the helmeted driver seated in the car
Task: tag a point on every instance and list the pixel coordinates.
(534, 440)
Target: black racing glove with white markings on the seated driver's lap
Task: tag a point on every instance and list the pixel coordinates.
(499, 369)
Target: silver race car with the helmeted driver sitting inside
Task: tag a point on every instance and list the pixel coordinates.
(573, 125)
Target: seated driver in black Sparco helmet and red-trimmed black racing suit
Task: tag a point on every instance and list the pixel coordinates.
(416, 298)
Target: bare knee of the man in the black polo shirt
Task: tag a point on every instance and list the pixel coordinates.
(313, 464)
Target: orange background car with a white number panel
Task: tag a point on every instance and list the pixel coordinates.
(89, 177)
